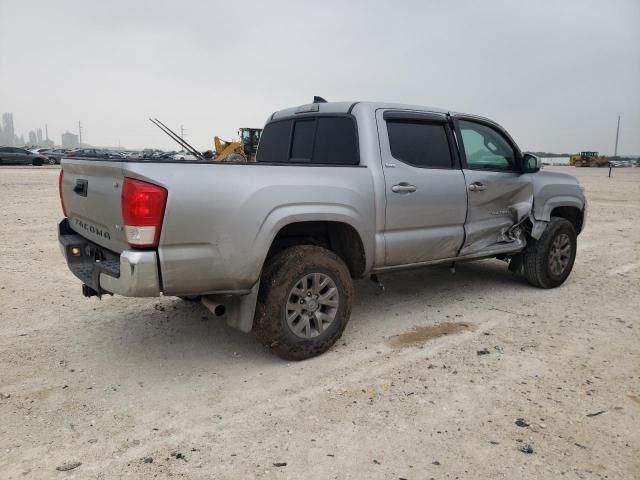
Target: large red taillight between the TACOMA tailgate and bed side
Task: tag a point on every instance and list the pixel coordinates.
(142, 212)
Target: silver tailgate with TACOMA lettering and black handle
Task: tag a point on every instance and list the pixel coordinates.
(92, 193)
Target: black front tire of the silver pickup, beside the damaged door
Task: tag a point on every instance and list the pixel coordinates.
(538, 261)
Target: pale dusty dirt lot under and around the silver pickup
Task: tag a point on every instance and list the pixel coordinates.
(157, 388)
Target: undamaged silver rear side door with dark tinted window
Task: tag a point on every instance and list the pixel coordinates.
(426, 196)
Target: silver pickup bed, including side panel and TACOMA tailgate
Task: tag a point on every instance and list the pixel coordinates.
(220, 218)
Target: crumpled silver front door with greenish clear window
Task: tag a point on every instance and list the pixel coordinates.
(499, 196)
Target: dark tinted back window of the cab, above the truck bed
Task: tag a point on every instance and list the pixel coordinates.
(317, 140)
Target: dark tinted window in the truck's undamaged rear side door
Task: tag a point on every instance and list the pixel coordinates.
(419, 144)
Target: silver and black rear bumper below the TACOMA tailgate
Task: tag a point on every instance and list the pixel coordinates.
(131, 273)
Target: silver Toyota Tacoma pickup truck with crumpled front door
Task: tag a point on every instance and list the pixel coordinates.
(338, 191)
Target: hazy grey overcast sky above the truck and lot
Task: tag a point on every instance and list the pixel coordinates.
(555, 74)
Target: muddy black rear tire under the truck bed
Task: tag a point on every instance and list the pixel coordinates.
(284, 272)
